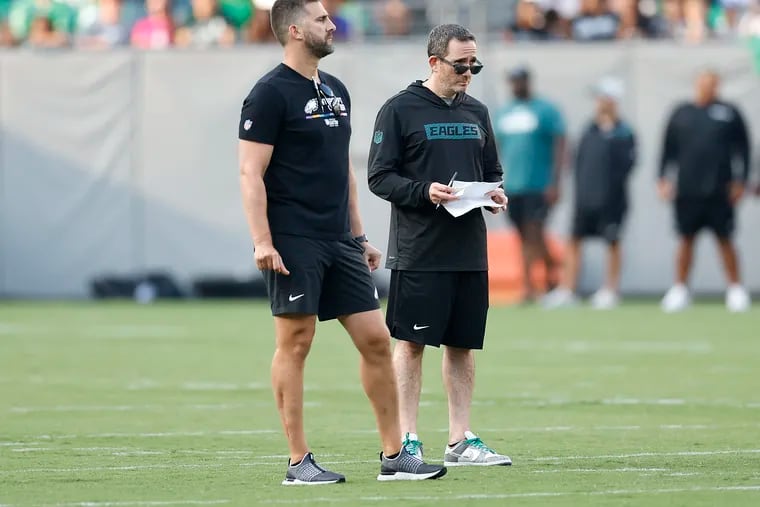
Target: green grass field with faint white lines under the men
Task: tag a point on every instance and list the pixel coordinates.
(125, 405)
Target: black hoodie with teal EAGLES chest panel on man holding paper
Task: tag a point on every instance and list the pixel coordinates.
(420, 139)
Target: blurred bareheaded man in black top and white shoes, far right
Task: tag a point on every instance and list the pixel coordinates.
(703, 140)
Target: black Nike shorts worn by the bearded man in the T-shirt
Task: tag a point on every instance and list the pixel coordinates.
(327, 278)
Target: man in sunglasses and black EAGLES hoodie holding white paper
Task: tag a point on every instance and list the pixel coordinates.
(439, 280)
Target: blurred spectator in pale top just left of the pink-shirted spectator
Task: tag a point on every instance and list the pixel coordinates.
(105, 30)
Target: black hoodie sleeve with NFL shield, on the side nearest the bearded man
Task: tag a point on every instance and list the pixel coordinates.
(386, 155)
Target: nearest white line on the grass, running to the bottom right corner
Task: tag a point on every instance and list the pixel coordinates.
(537, 494)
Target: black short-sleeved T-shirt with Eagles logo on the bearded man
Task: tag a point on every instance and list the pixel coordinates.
(307, 178)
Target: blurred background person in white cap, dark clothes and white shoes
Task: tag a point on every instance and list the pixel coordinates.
(605, 156)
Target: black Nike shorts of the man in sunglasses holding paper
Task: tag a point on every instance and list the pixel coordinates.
(439, 307)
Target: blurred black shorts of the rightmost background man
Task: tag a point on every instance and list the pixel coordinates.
(695, 214)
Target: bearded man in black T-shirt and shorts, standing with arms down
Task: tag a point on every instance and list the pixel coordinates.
(300, 199)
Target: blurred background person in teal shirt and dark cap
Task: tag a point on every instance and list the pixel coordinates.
(530, 133)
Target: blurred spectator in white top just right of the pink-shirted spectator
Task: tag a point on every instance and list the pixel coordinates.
(207, 28)
